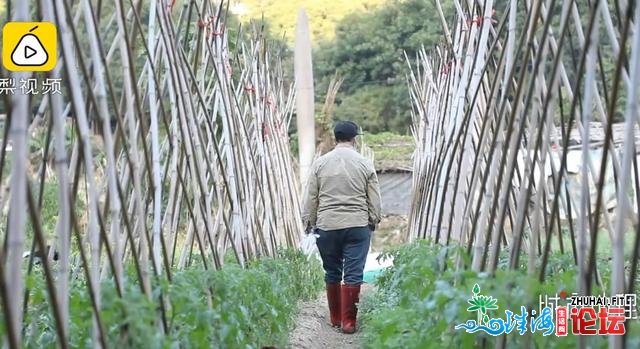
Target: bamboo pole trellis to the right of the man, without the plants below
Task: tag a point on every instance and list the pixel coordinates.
(490, 170)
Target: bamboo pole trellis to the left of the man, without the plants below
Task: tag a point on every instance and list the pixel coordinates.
(168, 143)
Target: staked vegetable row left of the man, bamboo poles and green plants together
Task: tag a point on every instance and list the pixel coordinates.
(158, 181)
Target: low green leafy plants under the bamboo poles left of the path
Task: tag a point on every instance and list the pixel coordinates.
(229, 308)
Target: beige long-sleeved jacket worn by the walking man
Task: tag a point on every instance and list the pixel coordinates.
(342, 191)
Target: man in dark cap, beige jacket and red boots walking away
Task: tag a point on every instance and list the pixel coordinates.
(342, 206)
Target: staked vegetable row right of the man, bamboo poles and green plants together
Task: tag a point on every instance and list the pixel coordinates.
(512, 209)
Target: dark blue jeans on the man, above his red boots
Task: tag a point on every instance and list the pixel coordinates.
(344, 250)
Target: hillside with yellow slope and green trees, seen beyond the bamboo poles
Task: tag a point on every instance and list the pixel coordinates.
(368, 46)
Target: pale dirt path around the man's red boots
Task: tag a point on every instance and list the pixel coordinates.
(313, 330)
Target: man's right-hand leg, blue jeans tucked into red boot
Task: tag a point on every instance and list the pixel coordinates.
(355, 250)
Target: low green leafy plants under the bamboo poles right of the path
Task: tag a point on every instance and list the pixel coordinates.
(421, 299)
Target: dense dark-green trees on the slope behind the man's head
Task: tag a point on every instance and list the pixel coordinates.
(368, 52)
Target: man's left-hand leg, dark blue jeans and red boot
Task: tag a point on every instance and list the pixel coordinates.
(330, 247)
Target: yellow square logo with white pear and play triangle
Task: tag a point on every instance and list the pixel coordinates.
(29, 46)
